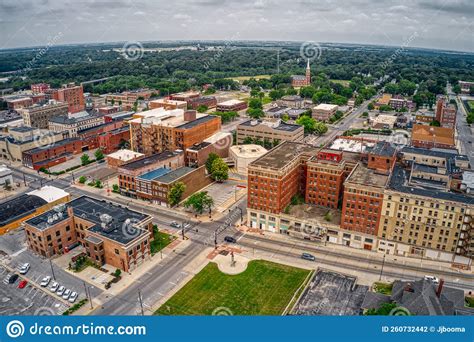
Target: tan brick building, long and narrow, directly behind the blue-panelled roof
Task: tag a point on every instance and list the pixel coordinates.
(128, 173)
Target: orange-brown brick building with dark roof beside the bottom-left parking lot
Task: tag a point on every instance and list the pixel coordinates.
(111, 234)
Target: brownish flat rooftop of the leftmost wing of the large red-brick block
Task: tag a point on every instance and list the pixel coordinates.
(283, 154)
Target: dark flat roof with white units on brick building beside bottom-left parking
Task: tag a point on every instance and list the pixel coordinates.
(118, 228)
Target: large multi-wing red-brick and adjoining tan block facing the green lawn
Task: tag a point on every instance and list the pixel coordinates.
(402, 203)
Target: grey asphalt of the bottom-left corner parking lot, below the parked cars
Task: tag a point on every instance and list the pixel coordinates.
(29, 300)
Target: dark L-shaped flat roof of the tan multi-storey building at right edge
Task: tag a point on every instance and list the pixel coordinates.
(399, 182)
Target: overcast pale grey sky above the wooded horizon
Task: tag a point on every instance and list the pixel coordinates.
(441, 24)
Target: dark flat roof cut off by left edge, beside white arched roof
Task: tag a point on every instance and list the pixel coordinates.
(18, 207)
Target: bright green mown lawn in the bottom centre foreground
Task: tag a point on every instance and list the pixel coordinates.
(264, 288)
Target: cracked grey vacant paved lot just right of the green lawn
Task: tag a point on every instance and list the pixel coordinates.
(331, 294)
